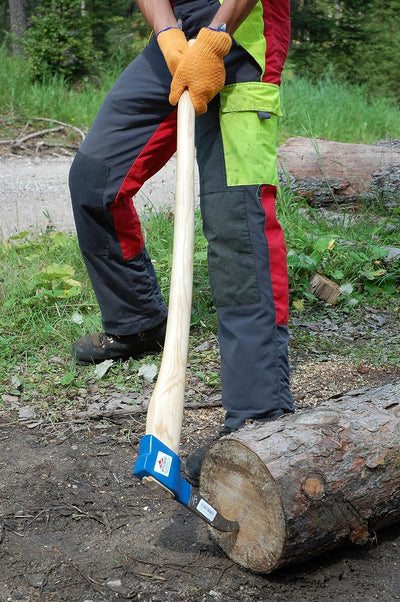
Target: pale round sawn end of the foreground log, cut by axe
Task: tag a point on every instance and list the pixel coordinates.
(236, 482)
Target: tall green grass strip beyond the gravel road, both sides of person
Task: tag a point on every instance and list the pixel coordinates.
(328, 109)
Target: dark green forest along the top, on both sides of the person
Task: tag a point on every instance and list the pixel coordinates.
(355, 41)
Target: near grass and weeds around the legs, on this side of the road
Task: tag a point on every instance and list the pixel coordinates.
(47, 301)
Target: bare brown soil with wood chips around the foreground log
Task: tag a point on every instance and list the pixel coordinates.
(76, 526)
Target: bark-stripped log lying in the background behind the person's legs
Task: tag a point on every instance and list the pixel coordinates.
(325, 172)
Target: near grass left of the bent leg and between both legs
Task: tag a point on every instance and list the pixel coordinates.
(47, 302)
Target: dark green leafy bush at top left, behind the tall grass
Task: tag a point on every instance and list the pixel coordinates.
(64, 39)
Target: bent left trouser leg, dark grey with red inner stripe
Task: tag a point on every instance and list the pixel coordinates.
(133, 135)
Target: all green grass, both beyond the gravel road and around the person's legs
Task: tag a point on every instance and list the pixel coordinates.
(47, 300)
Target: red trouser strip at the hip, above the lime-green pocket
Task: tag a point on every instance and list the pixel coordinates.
(276, 14)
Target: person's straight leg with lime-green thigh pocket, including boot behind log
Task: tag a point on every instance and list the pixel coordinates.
(246, 254)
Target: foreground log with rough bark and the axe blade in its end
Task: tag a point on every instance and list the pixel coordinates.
(309, 482)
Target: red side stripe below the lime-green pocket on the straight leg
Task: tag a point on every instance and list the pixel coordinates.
(277, 255)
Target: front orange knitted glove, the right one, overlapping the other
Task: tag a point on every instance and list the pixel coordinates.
(201, 69)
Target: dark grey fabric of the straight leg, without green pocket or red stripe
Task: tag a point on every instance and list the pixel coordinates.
(254, 363)
